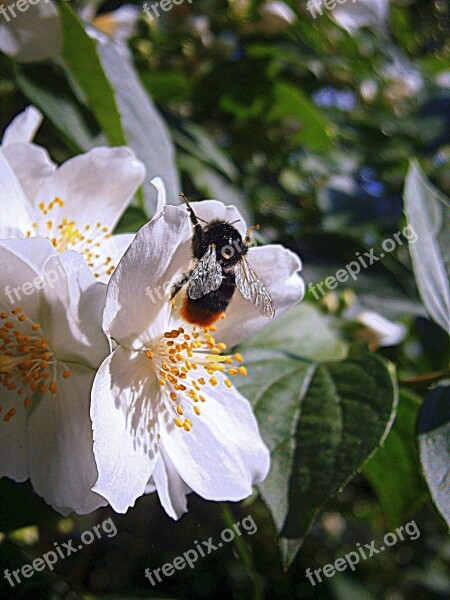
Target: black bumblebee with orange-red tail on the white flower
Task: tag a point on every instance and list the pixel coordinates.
(220, 266)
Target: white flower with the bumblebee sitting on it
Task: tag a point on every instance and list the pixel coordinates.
(166, 394)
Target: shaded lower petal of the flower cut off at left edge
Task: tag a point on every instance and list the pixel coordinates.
(59, 436)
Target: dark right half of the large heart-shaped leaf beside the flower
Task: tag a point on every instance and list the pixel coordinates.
(345, 414)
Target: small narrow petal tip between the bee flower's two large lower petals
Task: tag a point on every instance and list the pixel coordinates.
(172, 490)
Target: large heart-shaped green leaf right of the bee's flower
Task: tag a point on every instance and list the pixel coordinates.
(321, 420)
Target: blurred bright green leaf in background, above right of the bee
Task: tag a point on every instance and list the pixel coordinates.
(290, 102)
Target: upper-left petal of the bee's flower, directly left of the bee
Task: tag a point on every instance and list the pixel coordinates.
(137, 291)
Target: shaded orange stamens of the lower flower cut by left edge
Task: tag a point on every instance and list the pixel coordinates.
(27, 364)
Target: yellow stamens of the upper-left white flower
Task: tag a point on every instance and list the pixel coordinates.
(65, 234)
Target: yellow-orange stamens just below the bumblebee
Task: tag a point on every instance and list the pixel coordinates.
(187, 360)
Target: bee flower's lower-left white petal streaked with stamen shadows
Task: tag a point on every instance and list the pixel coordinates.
(124, 425)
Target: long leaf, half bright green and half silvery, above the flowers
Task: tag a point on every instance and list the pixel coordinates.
(120, 104)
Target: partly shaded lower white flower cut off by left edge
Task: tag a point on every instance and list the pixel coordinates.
(51, 343)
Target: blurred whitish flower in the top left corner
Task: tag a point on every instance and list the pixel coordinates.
(32, 34)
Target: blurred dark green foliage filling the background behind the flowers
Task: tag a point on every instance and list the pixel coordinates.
(307, 130)
